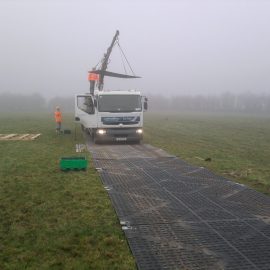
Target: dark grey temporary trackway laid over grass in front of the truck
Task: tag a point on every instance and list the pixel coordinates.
(179, 216)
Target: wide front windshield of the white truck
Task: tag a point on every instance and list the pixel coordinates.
(119, 103)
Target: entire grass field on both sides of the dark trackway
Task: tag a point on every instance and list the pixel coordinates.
(64, 220)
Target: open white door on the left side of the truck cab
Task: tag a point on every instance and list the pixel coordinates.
(85, 111)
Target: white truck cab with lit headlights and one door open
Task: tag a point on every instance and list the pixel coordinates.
(112, 115)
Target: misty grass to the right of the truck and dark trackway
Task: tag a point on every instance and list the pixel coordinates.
(238, 145)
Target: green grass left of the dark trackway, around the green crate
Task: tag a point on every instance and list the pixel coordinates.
(52, 219)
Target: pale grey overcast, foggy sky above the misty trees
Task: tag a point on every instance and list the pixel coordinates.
(178, 47)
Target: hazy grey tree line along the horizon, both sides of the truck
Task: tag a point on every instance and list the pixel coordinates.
(225, 102)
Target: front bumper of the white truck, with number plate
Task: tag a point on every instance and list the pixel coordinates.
(119, 134)
